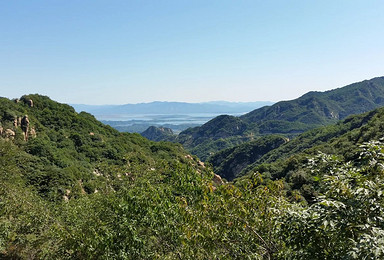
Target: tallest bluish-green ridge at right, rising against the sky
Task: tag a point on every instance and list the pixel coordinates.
(324, 107)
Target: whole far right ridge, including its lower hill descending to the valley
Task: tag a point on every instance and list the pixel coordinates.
(288, 118)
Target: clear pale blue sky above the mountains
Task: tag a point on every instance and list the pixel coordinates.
(128, 51)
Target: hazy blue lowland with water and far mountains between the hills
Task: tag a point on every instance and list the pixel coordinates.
(175, 115)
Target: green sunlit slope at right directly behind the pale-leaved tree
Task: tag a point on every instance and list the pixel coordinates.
(288, 160)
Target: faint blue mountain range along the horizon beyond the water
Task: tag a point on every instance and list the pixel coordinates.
(158, 107)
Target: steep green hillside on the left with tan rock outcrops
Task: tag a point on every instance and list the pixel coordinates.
(73, 151)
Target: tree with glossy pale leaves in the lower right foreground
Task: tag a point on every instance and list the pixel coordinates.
(346, 221)
